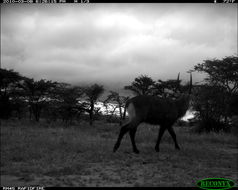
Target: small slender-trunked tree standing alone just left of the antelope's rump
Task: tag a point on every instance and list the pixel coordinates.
(92, 93)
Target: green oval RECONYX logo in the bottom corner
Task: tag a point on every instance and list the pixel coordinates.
(215, 183)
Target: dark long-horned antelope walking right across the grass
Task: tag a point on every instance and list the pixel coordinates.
(157, 111)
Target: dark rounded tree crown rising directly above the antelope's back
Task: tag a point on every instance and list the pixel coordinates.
(142, 85)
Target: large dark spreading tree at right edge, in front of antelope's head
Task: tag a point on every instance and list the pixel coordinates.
(219, 90)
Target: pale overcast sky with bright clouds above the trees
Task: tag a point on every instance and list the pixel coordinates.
(112, 44)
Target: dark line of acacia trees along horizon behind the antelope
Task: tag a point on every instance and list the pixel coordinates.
(215, 99)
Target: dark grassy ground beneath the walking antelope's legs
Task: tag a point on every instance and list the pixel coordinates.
(81, 155)
